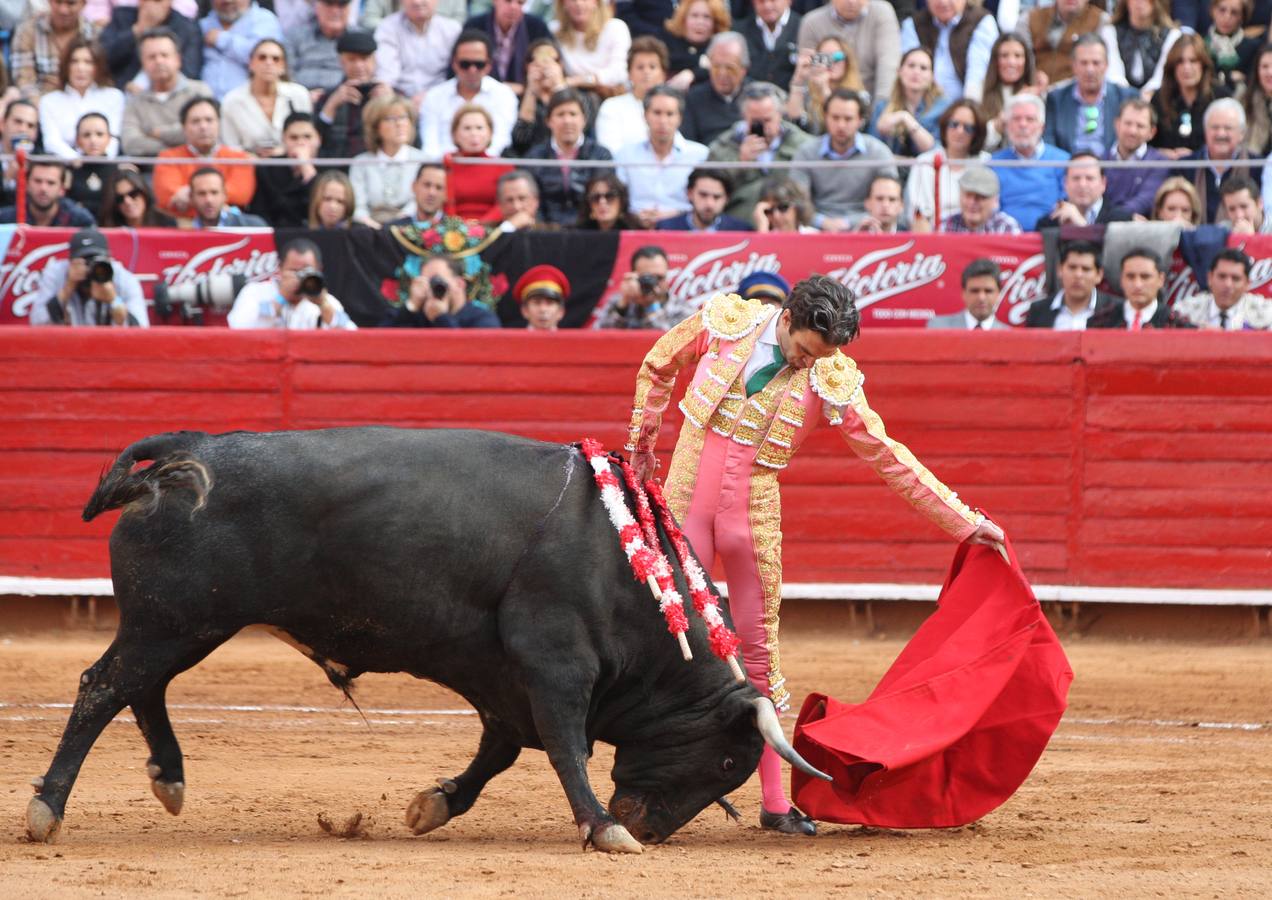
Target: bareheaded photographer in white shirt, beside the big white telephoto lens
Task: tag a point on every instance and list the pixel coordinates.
(297, 299)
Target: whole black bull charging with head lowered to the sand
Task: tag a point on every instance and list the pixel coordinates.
(479, 561)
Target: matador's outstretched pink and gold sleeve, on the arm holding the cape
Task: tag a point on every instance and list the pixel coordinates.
(896, 465)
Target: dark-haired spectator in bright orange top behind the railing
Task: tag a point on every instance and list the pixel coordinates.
(202, 124)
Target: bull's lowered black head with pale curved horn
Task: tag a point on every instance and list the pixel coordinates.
(661, 787)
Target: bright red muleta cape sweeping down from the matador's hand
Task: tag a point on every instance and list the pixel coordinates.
(960, 720)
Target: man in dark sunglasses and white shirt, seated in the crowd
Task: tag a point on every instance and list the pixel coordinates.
(473, 83)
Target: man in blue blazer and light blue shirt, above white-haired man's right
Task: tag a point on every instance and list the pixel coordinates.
(1081, 114)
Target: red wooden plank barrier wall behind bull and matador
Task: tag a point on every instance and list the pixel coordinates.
(1112, 460)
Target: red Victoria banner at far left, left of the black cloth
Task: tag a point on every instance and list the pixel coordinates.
(153, 255)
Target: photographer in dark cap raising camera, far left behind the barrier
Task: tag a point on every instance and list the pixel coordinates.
(88, 289)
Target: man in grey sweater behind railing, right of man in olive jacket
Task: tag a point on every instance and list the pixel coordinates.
(839, 194)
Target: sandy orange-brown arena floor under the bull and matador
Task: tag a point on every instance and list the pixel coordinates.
(1158, 784)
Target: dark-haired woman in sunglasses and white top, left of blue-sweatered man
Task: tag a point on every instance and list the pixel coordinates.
(962, 132)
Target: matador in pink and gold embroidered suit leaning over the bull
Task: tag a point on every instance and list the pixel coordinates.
(764, 378)
